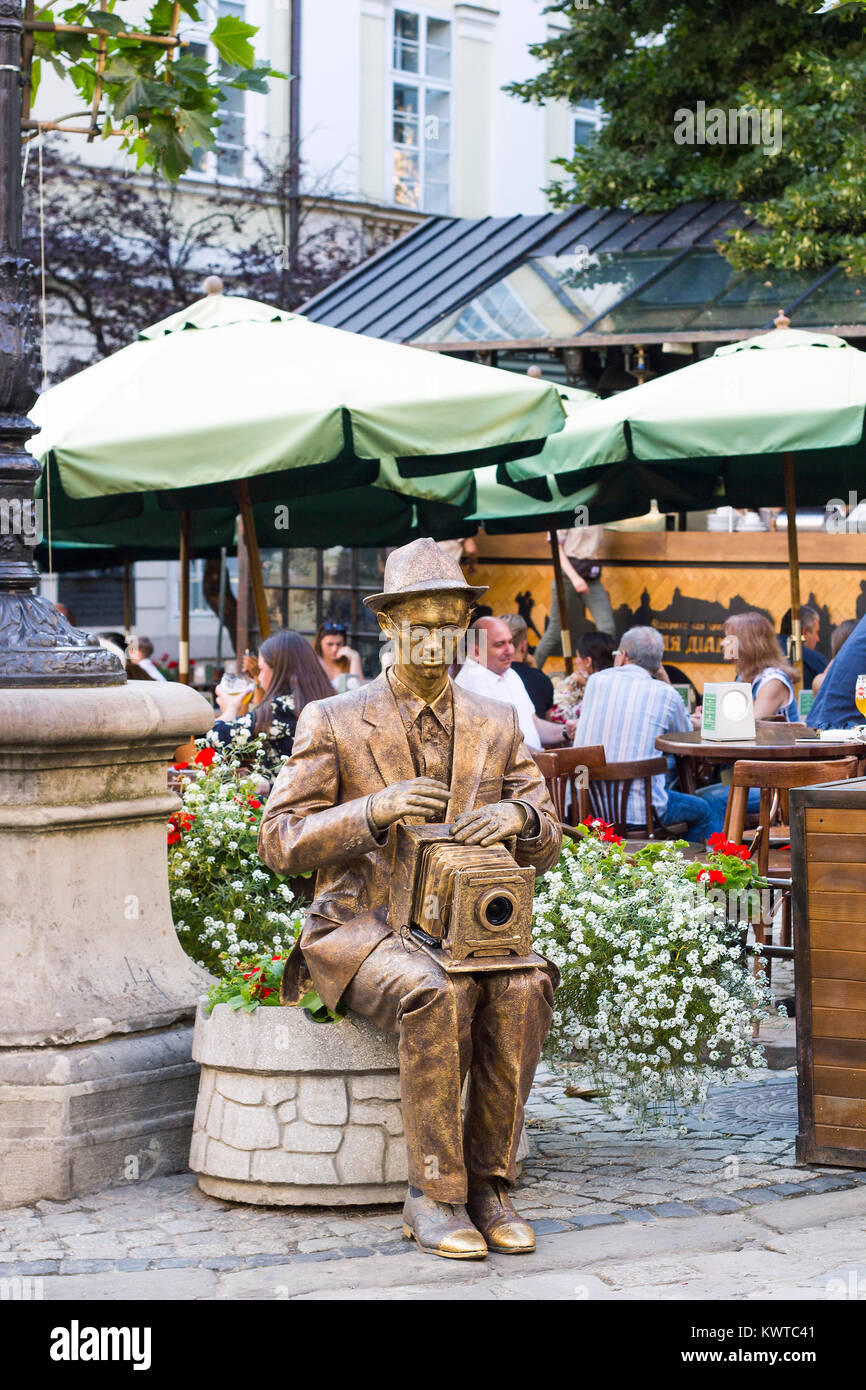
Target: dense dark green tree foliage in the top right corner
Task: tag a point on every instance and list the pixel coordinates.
(646, 60)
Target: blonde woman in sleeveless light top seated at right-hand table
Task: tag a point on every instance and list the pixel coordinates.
(753, 646)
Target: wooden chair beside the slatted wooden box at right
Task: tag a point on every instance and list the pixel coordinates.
(775, 780)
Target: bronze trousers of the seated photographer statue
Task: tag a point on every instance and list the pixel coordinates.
(490, 1027)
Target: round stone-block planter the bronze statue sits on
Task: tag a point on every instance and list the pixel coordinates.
(298, 1114)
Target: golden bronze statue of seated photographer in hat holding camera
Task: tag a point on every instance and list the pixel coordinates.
(426, 819)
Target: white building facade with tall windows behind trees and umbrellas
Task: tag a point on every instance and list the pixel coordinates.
(401, 115)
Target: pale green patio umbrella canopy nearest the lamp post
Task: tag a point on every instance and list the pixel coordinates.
(307, 408)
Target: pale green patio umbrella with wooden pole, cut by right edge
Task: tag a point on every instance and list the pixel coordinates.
(775, 419)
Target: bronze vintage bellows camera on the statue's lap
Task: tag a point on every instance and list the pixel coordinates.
(469, 907)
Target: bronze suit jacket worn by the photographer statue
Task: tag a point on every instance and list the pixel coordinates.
(316, 817)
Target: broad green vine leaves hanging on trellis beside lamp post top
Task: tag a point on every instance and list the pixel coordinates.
(162, 102)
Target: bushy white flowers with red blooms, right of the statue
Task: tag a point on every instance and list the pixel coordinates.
(655, 999)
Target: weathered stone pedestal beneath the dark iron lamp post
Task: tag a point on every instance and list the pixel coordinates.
(97, 995)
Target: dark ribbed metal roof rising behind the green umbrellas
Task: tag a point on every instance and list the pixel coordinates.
(446, 262)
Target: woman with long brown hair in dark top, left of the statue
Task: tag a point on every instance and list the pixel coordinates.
(291, 676)
